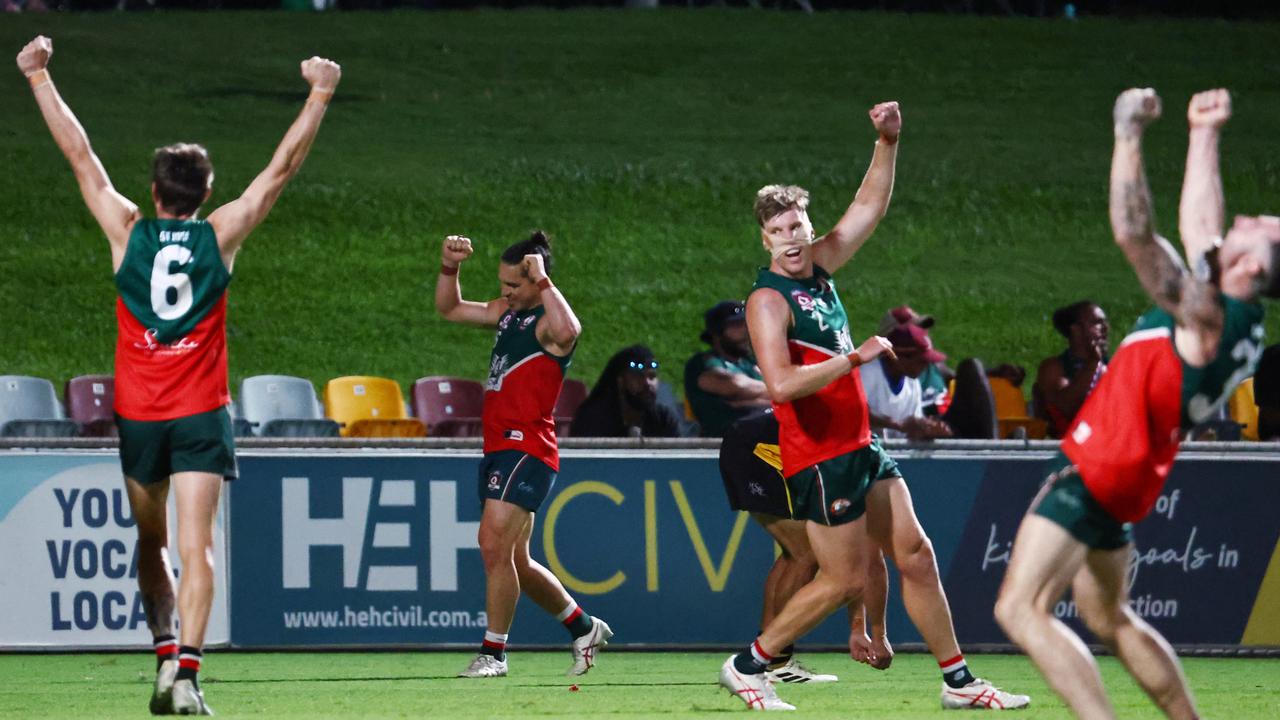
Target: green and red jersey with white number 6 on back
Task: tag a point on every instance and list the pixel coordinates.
(171, 348)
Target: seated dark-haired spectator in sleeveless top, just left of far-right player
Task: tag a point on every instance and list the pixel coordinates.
(1064, 381)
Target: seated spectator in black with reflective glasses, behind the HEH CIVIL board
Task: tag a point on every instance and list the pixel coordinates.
(625, 400)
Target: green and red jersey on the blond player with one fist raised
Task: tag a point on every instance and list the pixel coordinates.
(835, 420)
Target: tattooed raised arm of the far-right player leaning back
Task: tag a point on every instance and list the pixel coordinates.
(1194, 304)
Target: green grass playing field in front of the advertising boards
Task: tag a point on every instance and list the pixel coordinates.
(627, 685)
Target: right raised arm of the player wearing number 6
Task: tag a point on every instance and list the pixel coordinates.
(235, 221)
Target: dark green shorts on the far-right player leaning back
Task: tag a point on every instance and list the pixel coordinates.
(1068, 503)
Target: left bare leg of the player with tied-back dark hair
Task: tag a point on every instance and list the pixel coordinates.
(502, 527)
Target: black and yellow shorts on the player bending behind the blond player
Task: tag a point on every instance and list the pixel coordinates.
(752, 467)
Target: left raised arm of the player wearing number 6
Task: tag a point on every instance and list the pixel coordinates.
(113, 212)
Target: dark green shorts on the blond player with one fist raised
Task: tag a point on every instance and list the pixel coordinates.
(834, 493)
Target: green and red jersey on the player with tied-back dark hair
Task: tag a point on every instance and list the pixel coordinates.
(523, 389)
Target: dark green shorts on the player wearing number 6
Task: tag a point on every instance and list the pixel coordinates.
(153, 450)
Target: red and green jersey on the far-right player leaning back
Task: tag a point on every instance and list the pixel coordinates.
(1126, 436)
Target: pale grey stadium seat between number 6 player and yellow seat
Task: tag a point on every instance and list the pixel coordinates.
(285, 407)
